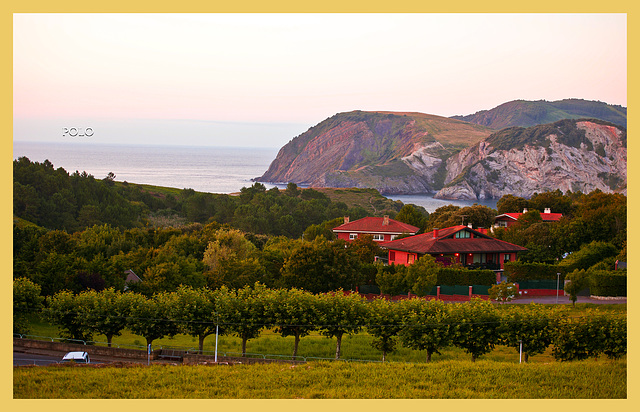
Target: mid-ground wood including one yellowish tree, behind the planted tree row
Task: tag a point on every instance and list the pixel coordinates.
(196, 255)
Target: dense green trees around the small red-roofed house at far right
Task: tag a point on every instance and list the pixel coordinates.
(593, 224)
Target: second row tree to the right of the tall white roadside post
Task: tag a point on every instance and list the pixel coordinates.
(294, 313)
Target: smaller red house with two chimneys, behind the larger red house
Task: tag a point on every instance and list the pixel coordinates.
(382, 229)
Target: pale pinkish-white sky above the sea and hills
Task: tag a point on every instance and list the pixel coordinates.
(259, 80)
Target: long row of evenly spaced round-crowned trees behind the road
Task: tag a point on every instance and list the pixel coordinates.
(430, 326)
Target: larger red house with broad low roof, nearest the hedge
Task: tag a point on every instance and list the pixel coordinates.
(459, 244)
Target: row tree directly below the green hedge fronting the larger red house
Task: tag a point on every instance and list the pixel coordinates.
(477, 327)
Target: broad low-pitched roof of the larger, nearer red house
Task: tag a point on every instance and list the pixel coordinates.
(445, 242)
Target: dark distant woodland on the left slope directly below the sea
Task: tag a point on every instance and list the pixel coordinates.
(54, 199)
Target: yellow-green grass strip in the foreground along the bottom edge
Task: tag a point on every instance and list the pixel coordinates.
(602, 379)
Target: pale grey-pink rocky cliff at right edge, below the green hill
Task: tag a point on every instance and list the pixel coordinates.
(570, 155)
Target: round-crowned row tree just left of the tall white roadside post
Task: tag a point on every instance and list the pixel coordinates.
(194, 309)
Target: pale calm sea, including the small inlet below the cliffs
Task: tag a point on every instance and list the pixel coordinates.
(204, 169)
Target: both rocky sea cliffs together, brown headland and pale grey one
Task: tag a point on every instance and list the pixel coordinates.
(412, 153)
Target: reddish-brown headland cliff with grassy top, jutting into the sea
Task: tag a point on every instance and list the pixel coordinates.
(396, 153)
